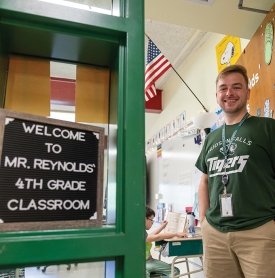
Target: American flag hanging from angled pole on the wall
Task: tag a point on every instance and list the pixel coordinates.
(156, 66)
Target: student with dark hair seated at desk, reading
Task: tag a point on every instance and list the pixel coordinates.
(154, 266)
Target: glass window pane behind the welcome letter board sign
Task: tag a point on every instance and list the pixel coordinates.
(76, 93)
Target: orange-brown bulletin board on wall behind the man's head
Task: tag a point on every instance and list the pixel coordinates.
(259, 59)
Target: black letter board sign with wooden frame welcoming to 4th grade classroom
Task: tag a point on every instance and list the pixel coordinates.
(51, 172)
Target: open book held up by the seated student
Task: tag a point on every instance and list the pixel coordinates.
(176, 222)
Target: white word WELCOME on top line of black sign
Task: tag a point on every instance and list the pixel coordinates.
(56, 132)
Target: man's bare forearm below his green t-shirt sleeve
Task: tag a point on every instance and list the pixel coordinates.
(203, 196)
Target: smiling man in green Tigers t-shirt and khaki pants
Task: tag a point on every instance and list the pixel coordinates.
(237, 187)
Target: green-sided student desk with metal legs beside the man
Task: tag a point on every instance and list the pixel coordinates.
(183, 249)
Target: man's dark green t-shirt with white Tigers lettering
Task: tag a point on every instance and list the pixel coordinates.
(251, 171)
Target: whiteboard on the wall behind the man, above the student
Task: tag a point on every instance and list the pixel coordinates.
(178, 176)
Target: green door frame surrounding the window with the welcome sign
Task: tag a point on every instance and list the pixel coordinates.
(39, 29)
